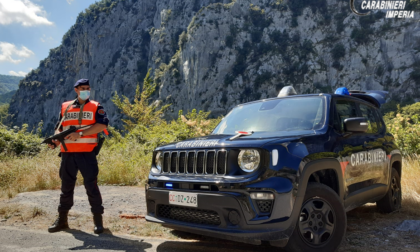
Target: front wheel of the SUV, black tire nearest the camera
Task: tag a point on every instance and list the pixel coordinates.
(316, 231)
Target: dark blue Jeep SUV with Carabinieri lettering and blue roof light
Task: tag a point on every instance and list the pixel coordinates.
(284, 170)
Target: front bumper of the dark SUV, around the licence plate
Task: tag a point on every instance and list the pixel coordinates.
(239, 219)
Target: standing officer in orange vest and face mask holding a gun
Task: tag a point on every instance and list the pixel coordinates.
(80, 156)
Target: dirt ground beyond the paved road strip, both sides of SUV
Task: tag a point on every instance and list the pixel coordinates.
(367, 229)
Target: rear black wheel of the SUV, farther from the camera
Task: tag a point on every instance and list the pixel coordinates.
(392, 200)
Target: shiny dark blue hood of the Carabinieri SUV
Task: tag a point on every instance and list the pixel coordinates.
(255, 140)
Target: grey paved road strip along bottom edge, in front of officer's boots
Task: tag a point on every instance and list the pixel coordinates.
(24, 240)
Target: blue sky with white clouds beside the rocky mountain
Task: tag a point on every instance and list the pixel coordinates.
(30, 28)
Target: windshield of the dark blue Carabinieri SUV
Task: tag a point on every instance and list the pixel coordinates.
(280, 115)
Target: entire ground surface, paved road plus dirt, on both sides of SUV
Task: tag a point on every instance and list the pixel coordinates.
(367, 229)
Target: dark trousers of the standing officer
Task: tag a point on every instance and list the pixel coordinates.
(86, 163)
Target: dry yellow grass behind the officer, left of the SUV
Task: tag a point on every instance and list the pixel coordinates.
(118, 166)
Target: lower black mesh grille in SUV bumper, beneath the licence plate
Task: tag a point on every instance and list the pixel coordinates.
(191, 215)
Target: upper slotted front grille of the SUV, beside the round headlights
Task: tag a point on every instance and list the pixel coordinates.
(202, 162)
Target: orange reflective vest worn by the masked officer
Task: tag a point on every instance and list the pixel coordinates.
(85, 143)
